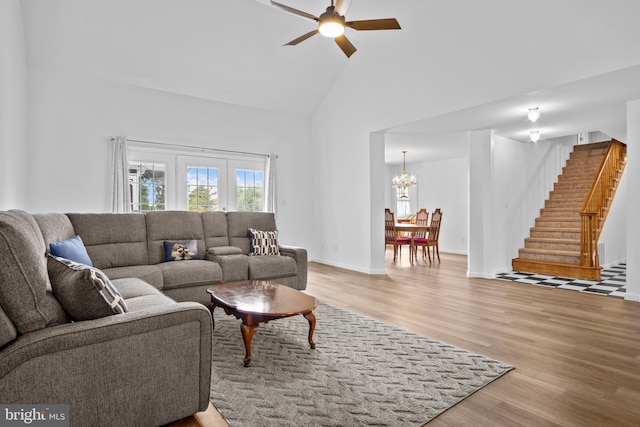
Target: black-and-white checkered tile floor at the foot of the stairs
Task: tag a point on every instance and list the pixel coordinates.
(612, 283)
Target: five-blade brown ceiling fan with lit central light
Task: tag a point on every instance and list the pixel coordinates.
(332, 23)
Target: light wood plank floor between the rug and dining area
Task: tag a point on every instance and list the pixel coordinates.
(577, 356)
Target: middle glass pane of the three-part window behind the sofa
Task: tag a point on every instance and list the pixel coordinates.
(202, 189)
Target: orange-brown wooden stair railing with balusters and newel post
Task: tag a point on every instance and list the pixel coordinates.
(594, 209)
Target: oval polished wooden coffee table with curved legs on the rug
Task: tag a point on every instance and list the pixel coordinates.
(256, 302)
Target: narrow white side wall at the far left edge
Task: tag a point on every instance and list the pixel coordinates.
(13, 117)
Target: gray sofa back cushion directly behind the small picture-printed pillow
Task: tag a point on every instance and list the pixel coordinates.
(172, 226)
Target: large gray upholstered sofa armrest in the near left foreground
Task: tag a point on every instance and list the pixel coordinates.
(147, 367)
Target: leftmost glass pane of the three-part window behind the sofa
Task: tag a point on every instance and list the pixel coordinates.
(147, 183)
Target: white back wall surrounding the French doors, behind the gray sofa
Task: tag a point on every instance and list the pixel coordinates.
(72, 118)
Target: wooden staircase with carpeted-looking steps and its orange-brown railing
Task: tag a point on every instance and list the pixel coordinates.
(564, 240)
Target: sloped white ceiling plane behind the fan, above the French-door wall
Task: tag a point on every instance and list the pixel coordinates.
(229, 51)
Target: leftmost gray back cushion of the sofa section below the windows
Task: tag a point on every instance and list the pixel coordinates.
(112, 239)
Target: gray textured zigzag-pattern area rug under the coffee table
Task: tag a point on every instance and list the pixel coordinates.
(362, 373)
